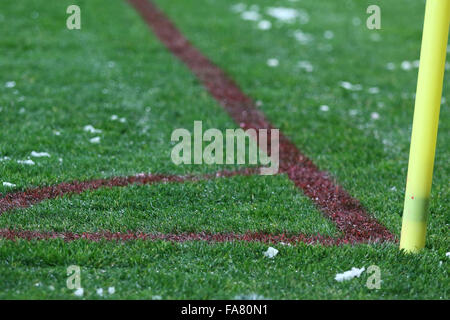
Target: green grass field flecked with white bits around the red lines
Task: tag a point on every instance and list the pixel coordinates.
(66, 79)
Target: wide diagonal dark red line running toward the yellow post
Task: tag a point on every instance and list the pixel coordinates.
(345, 211)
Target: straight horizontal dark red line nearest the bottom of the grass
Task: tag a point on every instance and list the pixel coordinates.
(13, 235)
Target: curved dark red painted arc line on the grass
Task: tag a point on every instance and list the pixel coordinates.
(32, 196)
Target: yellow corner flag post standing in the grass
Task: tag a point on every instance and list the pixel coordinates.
(425, 124)
